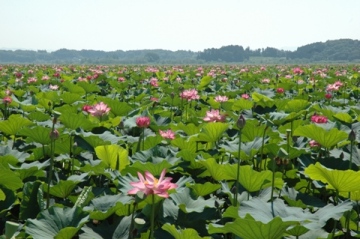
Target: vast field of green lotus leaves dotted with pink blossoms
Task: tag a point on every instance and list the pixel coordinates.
(181, 152)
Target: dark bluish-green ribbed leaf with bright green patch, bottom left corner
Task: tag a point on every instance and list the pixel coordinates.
(57, 222)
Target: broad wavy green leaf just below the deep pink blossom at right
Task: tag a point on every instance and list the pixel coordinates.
(325, 138)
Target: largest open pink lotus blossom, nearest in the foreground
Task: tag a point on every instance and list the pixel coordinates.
(151, 185)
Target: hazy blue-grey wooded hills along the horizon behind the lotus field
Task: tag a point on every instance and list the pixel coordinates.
(343, 50)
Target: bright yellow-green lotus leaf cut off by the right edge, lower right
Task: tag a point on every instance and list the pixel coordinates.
(340, 180)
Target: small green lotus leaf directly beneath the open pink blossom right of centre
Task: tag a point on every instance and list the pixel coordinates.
(212, 132)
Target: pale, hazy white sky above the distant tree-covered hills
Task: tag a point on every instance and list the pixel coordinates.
(195, 25)
